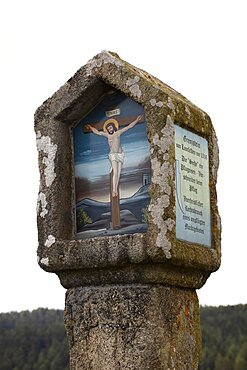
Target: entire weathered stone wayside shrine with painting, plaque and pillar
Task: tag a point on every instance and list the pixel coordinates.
(127, 215)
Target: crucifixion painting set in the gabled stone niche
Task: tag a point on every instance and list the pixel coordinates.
(112, 168)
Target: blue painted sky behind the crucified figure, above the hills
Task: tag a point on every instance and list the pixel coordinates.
(91, 151)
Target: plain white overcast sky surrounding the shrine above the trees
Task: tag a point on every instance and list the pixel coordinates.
(197, 47)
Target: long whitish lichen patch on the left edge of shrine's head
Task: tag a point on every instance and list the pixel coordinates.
(45, 145)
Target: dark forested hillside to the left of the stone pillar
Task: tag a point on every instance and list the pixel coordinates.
(33, 341)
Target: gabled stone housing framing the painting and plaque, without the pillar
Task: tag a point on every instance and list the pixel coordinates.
(157, 256)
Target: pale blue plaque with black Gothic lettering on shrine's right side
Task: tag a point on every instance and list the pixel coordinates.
(193, 219)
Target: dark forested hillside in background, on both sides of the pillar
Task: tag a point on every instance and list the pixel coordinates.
(37, 340)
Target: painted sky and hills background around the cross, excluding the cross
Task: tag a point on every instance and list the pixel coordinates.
(92, 178)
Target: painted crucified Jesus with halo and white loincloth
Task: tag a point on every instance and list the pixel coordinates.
(116, 155)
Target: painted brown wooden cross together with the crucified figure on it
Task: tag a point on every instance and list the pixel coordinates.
(112, 129)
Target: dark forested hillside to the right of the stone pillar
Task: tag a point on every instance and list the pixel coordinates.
(224, 338)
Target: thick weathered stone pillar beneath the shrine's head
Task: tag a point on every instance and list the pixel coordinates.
(133, 327)
